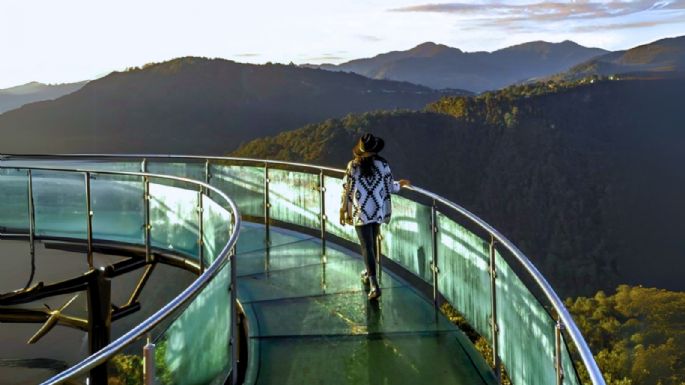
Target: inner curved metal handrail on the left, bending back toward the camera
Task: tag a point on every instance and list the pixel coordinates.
(182, 299)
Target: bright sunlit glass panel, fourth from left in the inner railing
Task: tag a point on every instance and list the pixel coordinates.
(174, 218)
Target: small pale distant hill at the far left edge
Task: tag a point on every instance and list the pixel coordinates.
(15, 97)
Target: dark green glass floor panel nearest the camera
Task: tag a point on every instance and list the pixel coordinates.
(420, 358)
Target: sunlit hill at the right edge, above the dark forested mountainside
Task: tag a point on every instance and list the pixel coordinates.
(661, 58)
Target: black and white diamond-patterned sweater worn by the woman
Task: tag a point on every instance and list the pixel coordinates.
(367, 200)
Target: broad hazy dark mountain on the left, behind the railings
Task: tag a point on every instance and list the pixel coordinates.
(196, 105)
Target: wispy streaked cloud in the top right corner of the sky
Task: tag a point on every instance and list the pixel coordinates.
(515, 16)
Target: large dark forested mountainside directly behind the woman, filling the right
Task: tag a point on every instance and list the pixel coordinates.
(587, 180)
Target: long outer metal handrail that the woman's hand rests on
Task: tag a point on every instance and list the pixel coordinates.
(565, 317)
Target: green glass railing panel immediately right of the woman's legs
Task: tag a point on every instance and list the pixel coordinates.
(408, 239)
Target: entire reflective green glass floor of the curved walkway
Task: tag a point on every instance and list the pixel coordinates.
(310, 323)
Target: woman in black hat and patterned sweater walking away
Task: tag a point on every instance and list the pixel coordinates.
(366, 203)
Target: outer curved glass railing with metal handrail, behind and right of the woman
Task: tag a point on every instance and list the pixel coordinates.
(460, 259)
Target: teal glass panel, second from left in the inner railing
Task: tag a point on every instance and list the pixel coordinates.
(60, 204)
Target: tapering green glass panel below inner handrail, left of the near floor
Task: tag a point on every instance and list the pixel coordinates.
(195, 348)
